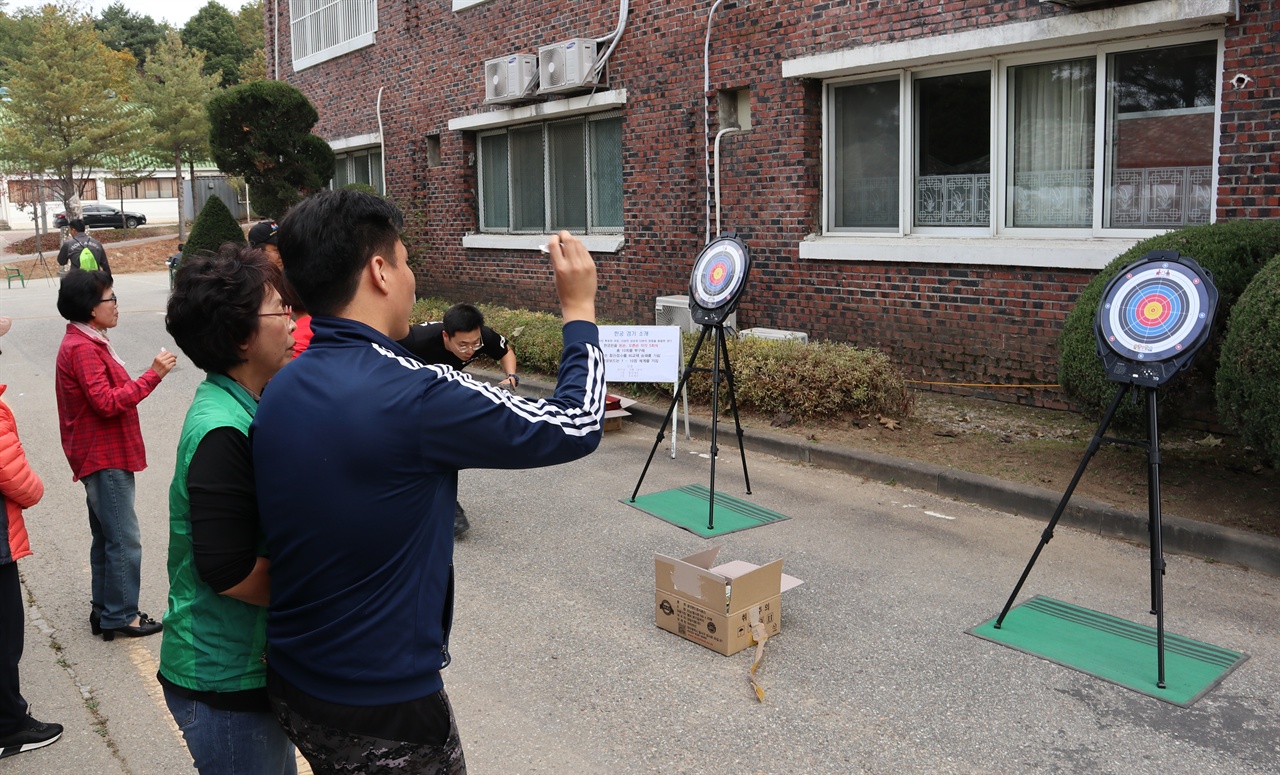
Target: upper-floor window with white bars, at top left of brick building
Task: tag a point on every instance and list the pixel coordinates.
(323, 30)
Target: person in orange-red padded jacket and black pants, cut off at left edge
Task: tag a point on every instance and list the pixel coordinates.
(20, 489)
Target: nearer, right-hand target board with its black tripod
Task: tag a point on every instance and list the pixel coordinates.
(1153, 320)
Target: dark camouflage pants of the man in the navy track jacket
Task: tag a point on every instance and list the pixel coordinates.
(333, 751)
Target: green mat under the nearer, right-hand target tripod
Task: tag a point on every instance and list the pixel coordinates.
(1114, 650)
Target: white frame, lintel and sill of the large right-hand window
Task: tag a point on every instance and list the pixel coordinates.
(1156, 24)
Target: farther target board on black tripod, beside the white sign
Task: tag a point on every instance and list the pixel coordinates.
(715, 289)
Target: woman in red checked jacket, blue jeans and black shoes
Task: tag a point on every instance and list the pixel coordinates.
(98, 413)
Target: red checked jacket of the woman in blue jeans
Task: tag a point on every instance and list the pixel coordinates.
(98, 407)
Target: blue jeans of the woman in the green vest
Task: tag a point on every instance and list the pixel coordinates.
(232, 742)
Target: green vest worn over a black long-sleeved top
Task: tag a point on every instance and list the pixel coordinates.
(212, 642)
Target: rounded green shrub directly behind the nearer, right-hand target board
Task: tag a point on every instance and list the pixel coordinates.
(1232, 252)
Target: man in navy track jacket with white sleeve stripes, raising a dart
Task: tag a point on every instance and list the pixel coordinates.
(356, 441)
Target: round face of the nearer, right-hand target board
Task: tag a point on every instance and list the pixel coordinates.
(1158, 309)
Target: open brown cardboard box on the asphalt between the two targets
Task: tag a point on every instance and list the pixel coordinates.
(715, 605)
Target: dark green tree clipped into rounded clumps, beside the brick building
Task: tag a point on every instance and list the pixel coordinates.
(263, 133)
